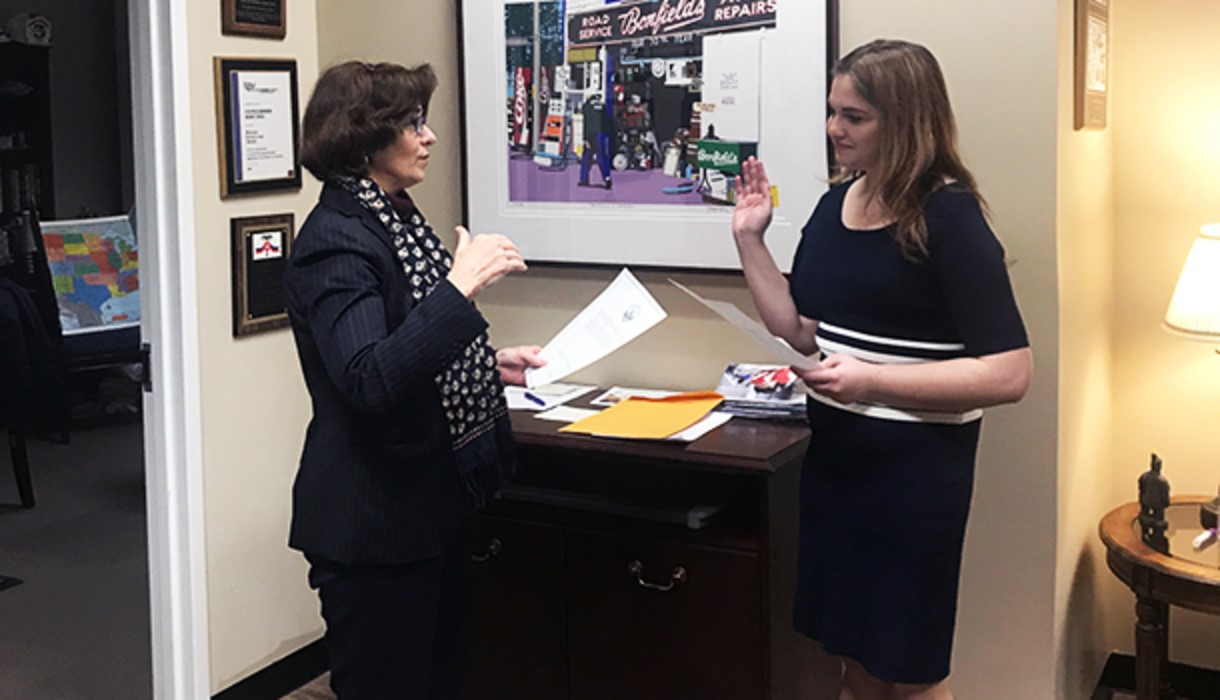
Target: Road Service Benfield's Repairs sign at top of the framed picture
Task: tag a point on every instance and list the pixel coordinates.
(647, 19)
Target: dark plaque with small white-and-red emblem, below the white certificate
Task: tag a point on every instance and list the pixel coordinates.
(260, 248)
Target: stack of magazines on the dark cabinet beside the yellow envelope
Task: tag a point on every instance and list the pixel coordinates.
(762, 392)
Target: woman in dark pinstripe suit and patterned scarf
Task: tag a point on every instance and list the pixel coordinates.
(411, 430)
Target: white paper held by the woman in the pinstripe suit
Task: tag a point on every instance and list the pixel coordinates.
(620, 314)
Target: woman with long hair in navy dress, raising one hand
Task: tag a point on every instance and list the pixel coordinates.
(902, 287)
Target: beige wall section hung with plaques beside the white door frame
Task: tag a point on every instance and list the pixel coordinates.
(254, 404)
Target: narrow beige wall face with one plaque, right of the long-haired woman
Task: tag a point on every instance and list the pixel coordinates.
(1085, 224)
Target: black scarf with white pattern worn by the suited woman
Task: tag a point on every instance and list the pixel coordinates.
(472, 395)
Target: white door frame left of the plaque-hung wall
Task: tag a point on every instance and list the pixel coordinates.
(173, 446)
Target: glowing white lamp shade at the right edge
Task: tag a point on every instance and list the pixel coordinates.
(1195, 308)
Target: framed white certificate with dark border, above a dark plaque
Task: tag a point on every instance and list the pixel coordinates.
(257, 115)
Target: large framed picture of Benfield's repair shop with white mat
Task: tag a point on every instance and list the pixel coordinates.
(613, 132)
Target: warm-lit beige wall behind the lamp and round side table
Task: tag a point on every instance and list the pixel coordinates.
(1166, 110)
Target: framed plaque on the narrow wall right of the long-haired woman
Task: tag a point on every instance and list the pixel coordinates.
(1093, 64)
